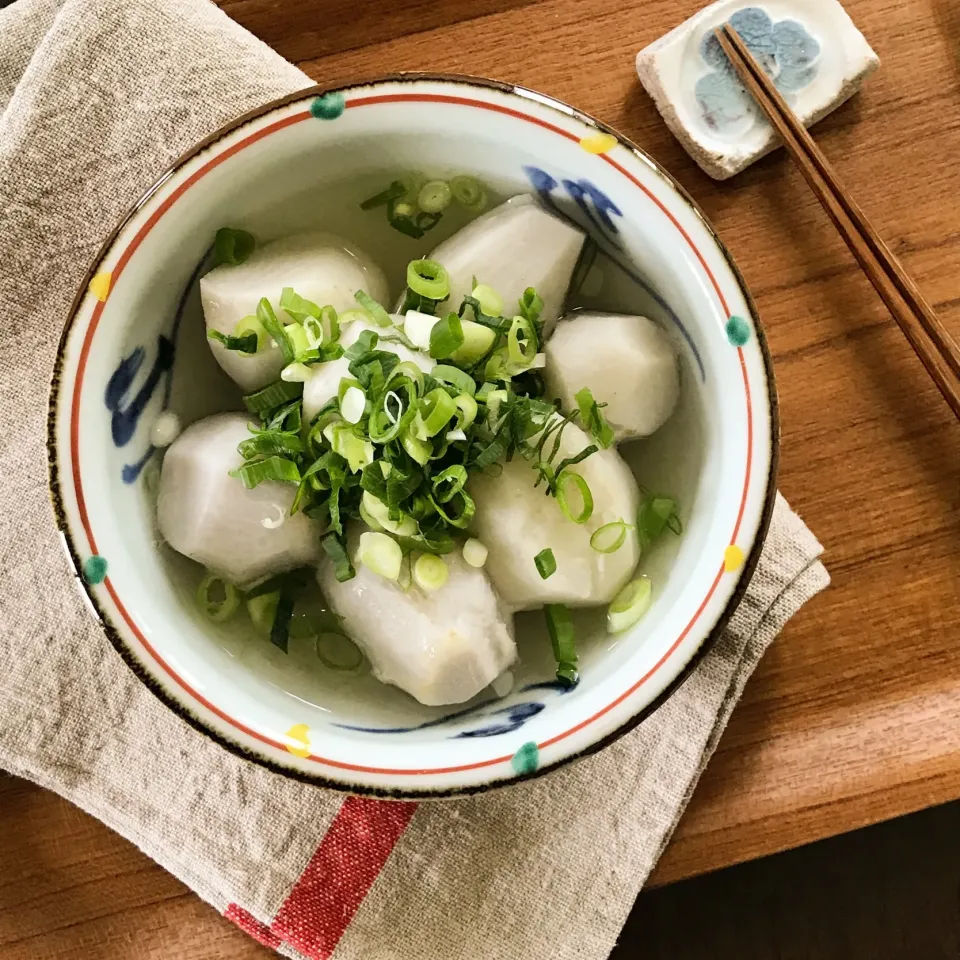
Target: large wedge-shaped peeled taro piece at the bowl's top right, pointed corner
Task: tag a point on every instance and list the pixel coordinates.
(512, 247)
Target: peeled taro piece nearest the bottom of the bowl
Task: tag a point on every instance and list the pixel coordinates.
(442, 646)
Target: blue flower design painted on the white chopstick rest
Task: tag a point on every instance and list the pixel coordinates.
(785, 50)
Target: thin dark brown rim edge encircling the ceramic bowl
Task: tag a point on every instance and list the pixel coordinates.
(130, 657)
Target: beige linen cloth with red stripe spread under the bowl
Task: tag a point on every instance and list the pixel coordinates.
(97, 98)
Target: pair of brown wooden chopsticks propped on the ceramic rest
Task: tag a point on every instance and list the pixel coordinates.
(934, 346)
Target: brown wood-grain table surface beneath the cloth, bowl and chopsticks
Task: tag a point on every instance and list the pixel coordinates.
(854, 714)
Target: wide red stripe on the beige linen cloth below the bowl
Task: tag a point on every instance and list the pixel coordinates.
(350, 857)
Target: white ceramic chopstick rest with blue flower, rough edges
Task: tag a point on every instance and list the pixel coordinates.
(811, 48)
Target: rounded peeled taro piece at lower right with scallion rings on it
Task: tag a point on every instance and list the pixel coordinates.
(516, 521)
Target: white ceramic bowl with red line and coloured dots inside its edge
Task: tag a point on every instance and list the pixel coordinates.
(134, 346)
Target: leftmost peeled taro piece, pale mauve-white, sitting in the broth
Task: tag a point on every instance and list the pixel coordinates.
(243, 536)
